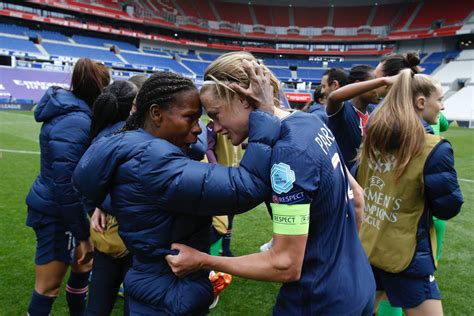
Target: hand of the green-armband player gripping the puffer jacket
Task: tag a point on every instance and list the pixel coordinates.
(187, 261)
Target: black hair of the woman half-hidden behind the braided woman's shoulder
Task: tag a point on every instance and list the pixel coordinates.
(112, 106)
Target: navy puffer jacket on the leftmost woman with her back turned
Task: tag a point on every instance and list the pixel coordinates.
(64, 138)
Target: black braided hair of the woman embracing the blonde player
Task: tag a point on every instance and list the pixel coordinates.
(160, 89)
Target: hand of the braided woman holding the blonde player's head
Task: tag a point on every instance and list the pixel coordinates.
(260, 91)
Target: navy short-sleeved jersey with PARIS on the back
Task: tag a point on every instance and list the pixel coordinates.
(307, 168)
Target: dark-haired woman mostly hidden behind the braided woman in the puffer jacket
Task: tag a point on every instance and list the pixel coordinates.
(111, 258)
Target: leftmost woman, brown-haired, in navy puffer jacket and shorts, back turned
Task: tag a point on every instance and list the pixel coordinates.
(55, 210)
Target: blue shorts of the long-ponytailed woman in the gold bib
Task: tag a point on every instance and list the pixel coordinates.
(406, 291)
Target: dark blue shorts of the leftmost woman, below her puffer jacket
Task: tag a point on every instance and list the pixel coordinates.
(53, 241)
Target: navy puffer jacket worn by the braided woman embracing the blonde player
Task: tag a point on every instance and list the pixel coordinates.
(160, 195)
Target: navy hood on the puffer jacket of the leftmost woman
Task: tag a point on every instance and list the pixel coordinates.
(58, 101)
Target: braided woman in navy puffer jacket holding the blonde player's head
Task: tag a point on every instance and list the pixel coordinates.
(160, 195)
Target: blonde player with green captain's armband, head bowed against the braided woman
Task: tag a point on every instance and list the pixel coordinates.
(316, 252)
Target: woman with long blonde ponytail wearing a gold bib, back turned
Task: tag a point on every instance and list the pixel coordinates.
(407, 176)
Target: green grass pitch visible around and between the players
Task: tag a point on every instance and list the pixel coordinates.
(18, 131)
